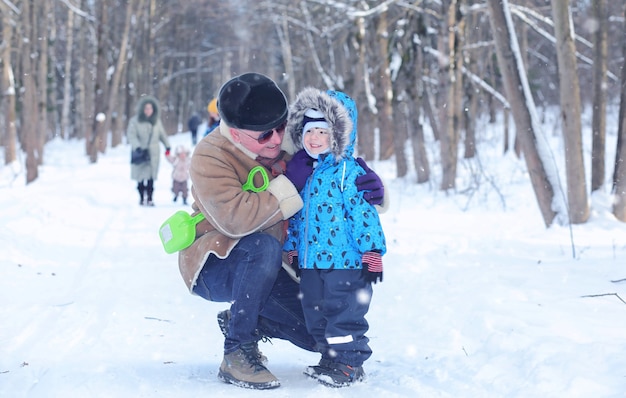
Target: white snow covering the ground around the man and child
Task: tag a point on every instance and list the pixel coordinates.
(479, 299)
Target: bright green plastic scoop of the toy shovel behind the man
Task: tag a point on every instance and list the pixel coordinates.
(179, 231)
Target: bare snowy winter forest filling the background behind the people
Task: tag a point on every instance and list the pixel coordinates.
(74, 70)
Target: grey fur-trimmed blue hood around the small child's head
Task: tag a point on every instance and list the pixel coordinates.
(339, 111)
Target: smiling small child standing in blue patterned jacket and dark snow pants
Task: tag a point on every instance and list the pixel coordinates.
(336, 241)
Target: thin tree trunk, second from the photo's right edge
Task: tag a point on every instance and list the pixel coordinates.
(598, 122)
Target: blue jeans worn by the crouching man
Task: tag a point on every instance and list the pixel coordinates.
(264, 297)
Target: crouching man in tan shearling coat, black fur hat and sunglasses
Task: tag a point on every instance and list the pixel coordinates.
(237, 254)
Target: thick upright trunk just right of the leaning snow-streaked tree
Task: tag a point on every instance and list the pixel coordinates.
(570, 112)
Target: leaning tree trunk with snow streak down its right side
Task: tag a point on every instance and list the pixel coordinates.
(522, 105)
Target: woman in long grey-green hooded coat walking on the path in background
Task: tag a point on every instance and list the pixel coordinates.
(144, 131)
